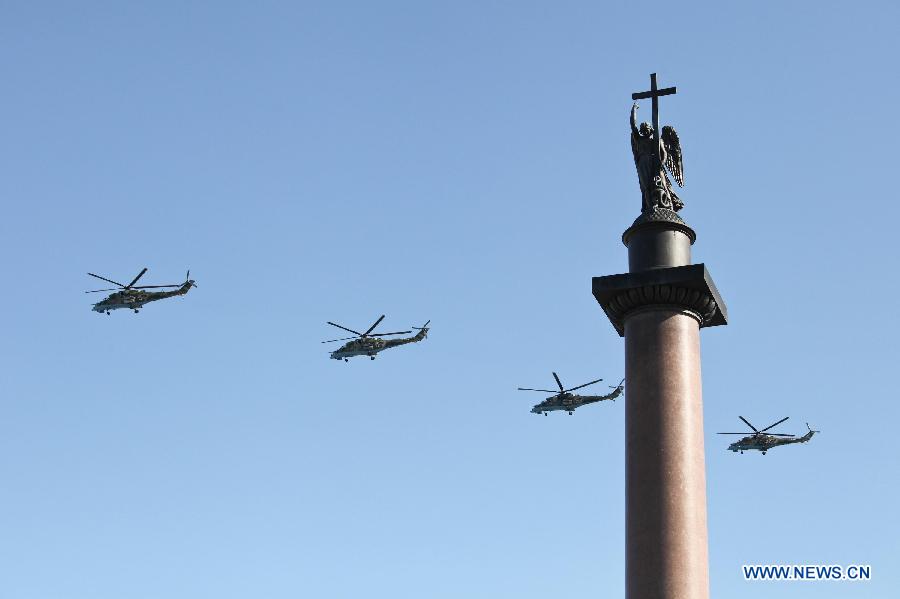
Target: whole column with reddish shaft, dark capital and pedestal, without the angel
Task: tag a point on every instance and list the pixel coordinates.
(659, 307)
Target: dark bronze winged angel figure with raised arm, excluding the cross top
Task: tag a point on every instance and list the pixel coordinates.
(652, 159)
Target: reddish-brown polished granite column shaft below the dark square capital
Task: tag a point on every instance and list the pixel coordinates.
(665, 530)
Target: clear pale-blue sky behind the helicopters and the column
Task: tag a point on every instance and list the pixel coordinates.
(464, 162)
